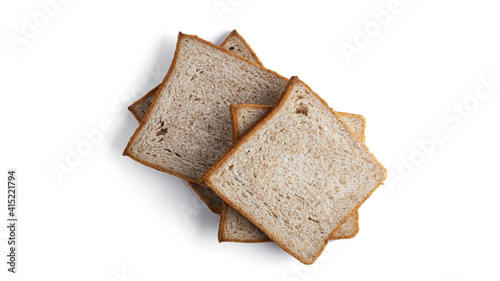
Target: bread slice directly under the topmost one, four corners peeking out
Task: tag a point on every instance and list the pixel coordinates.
(233, 227)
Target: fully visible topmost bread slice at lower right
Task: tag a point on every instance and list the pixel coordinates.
(298, 174)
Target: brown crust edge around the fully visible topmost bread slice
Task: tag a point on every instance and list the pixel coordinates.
(205, 178)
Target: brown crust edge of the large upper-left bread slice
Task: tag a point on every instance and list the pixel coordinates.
(162, 85)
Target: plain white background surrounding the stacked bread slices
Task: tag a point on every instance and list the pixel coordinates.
(111, 218)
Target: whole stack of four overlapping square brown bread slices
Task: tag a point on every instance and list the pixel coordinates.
(266, 152)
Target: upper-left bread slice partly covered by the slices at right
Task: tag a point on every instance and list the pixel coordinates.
(188, 127)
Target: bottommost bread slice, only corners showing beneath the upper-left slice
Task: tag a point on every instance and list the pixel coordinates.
(235, 43)
